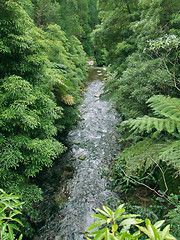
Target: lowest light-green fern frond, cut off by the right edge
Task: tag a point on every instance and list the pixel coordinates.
(171, 155)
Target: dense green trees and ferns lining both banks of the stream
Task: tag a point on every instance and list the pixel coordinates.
(43, 66)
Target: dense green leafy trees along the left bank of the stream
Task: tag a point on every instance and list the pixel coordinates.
(42, 79)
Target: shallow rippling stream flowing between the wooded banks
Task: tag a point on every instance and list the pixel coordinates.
(92, 145)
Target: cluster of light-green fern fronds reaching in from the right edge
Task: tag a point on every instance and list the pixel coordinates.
(166, 107)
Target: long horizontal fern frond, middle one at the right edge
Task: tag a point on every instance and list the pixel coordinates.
(149, 123)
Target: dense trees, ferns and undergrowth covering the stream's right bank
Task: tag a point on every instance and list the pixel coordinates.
(139, 40)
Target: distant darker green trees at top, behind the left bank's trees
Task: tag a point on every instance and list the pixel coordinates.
(76, 18)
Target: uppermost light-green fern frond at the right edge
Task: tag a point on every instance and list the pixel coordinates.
(166, 106)
